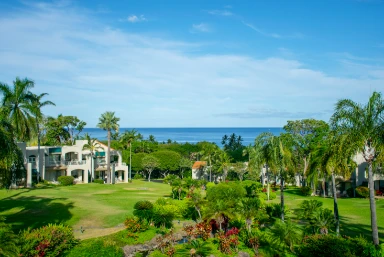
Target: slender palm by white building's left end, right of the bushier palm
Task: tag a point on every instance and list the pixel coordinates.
(37, 105)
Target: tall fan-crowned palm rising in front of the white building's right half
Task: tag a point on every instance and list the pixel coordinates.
(109, 122)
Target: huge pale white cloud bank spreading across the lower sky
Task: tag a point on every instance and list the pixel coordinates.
(88, 68)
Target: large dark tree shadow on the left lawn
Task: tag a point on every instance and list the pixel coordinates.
(30, 211)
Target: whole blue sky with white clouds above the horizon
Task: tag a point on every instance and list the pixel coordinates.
(195, 63)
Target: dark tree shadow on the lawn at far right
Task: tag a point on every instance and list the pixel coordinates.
(353, 230)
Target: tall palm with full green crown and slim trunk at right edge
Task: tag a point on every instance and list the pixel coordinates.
(364, 126)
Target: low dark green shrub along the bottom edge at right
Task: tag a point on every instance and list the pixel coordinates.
(332, 246)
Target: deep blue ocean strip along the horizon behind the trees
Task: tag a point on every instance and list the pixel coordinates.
(190, 135)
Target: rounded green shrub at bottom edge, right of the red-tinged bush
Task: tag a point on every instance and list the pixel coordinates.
(98, 247)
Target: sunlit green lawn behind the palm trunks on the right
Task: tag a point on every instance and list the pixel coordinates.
(354, 213)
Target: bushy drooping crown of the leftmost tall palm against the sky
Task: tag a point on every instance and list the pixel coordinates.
(17, 103)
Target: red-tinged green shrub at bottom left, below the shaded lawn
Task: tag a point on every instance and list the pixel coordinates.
(51, 240)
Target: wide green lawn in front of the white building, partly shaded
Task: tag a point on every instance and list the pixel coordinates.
(97, 208)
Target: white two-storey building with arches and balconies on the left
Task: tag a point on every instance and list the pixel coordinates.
(73, 161)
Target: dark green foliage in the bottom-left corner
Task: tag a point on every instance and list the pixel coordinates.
(8, 240)
